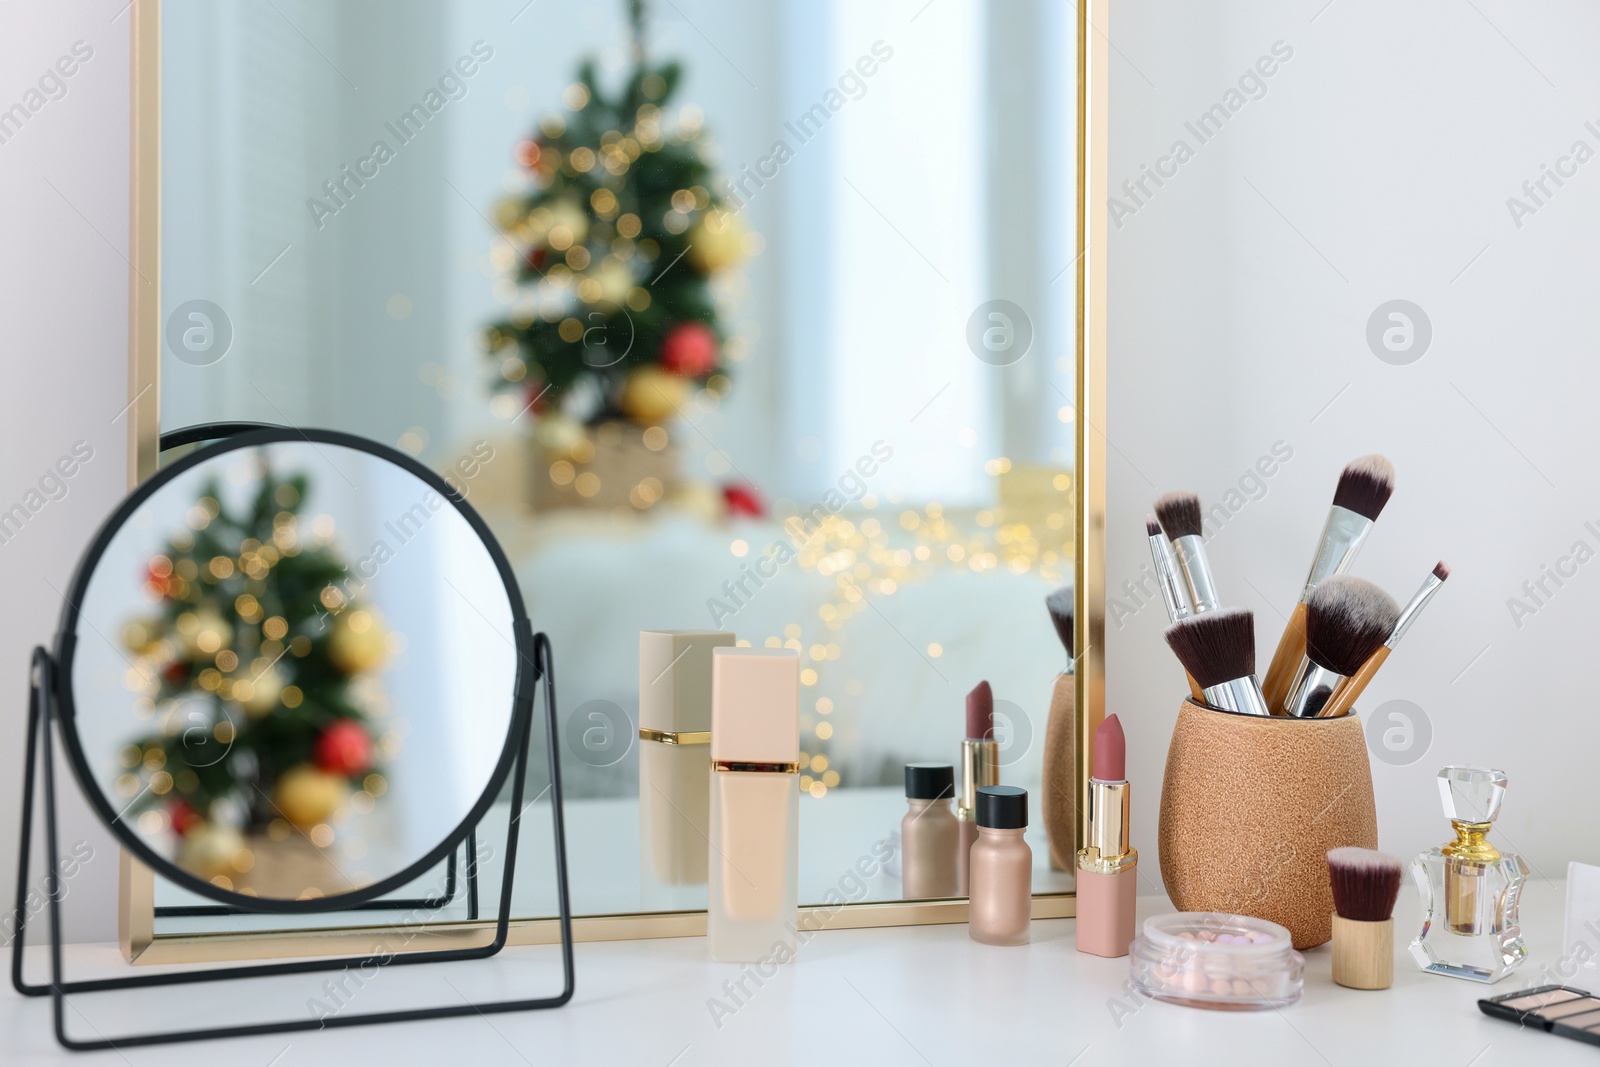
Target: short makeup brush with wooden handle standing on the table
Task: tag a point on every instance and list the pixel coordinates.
(1366, 887)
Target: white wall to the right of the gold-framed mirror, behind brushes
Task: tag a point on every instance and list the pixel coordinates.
(1377, 167)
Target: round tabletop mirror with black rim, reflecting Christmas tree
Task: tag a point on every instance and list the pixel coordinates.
(290, 671)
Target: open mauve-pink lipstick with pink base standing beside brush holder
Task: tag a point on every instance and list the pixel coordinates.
(1108, 866)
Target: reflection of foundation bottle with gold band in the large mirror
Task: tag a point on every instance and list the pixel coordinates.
(674, 753)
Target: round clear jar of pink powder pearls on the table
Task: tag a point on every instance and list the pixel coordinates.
(1215, 961)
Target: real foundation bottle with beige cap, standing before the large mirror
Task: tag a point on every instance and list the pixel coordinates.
(753, 916)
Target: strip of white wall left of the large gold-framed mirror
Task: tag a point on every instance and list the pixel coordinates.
(65, 356)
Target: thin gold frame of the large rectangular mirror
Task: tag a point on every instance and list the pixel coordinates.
(137, 901)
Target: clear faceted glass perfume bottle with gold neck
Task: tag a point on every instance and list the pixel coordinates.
(1471, 890)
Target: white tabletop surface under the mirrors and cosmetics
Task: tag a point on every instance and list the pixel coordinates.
(906, 996)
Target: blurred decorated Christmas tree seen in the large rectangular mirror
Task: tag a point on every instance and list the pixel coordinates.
(617, 241)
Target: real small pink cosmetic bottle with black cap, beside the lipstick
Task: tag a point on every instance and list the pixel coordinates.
(1001, 869)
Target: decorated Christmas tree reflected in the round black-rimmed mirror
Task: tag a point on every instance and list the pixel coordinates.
(254, 663)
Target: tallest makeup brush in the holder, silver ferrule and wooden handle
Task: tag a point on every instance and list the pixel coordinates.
(1366, 486)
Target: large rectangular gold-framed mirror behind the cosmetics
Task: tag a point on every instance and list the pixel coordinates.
(775, 319)
